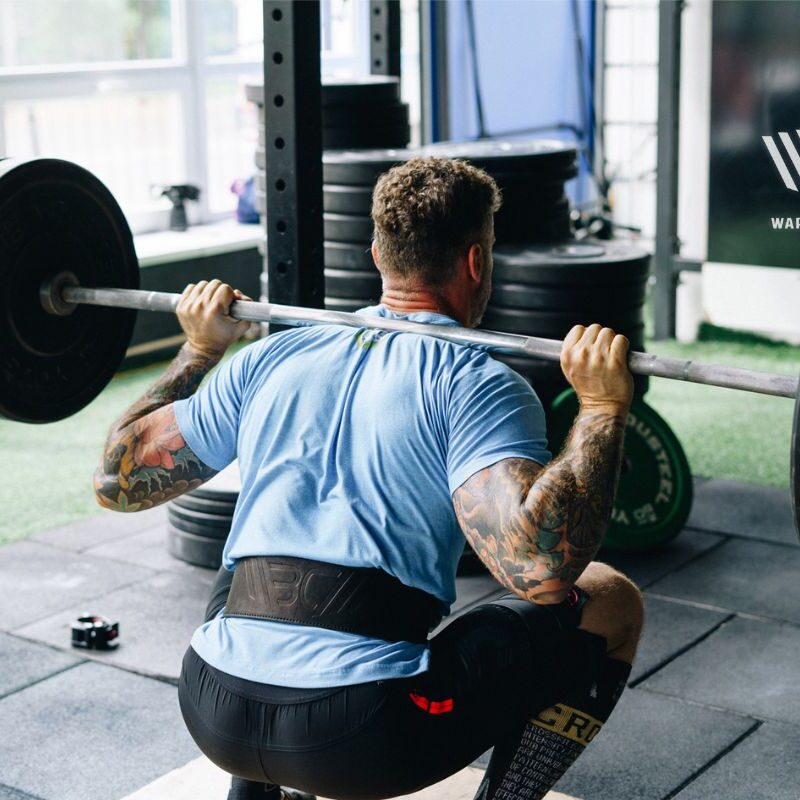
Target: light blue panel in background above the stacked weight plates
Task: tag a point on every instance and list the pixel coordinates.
(528, 74)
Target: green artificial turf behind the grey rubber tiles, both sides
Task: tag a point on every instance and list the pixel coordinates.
(48, 468)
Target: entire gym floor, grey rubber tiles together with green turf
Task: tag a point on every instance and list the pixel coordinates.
(713, 707)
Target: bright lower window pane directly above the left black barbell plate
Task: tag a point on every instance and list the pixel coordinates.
(132, 142)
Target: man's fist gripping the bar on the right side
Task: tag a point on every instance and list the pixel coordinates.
(595, 362)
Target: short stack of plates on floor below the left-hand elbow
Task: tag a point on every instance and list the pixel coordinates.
(199, 521)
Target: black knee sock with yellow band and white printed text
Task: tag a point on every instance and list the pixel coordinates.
(527, 766)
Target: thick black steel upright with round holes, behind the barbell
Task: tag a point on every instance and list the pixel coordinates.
(293, 146)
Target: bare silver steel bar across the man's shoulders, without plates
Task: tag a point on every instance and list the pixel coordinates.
(526, 346)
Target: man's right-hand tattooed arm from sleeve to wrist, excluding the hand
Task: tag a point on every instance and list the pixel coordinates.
(537, 529)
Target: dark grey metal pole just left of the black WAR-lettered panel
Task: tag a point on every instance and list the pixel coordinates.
(667, 244)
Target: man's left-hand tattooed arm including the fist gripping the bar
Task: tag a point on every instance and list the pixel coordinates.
(146, 460)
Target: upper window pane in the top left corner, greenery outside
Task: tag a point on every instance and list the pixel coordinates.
(35, 33)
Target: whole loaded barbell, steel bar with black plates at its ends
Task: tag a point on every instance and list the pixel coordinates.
(70, 292)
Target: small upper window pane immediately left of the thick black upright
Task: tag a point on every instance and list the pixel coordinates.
(233, 28)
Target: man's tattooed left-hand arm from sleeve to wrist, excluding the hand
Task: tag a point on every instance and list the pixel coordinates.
(146, 460)
